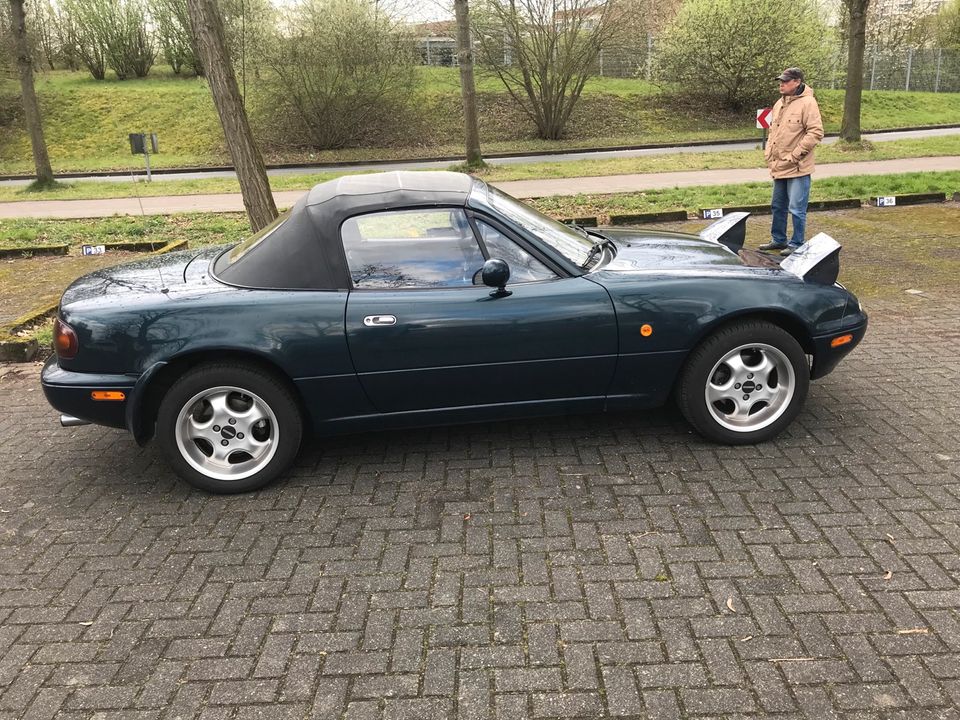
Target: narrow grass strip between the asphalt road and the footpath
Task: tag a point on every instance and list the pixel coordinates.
(925, 147)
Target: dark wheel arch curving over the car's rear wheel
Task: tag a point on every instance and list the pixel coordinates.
(161, 377)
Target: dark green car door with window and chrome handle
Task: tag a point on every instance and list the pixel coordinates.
(424, 336)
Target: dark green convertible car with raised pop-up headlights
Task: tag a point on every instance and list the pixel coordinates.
(409, 299)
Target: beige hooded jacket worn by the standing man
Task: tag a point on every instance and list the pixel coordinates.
(795, 130)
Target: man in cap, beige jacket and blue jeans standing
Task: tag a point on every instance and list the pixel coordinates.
(795, 130)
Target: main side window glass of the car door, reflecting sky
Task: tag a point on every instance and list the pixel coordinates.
(411, 249)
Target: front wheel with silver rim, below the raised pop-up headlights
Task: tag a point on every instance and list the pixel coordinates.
(744, 384)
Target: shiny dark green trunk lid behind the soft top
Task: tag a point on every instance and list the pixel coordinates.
(171, 275)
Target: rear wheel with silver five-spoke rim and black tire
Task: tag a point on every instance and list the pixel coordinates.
(258, 423)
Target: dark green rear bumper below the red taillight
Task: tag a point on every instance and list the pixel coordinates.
(69, 393)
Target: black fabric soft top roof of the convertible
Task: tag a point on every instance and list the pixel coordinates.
(304, 252)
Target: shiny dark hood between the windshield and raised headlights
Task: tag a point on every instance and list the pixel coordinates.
(645, 250)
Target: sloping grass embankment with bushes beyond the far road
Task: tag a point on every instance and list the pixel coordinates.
(87, 121)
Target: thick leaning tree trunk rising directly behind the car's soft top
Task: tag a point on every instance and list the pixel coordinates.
(207, 28)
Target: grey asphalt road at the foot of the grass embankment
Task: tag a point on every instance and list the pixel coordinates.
(516, 160)
